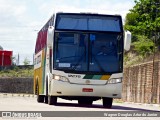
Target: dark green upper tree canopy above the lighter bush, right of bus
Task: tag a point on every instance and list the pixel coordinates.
(144, 18)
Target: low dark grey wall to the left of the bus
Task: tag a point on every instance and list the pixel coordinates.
(16, 85)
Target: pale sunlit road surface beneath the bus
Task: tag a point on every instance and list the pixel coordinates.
(17, 102)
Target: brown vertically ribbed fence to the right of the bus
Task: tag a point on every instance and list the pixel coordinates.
(141, 83)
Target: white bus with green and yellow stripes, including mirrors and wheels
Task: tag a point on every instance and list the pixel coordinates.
(79, 56)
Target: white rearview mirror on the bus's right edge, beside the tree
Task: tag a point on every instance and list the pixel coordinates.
(127, 40)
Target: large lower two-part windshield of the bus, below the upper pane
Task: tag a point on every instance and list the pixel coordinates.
(92, 52)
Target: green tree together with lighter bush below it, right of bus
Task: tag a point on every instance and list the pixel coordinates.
(143, 21)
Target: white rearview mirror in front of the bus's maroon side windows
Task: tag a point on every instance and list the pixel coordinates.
(50, 36)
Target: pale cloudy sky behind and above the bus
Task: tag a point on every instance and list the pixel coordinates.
(20, 20)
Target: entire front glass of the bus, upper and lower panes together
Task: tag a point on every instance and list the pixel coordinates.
(88, 43)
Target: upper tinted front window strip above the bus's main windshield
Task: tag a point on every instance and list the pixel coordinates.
(92, 23)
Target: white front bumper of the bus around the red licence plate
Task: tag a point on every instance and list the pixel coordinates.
(60, 88)
